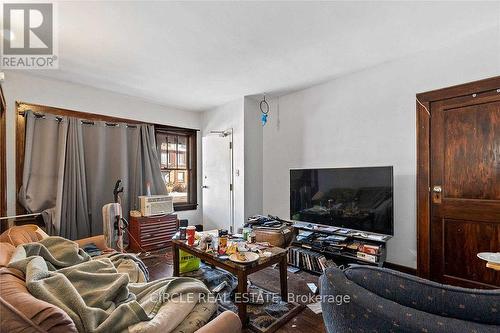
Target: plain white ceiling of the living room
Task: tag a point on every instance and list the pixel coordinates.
(197, 55)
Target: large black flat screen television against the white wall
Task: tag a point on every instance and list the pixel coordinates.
(352, 198)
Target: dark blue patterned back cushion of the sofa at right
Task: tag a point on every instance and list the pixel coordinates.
(482, 306)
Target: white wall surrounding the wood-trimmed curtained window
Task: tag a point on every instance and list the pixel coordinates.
(32, 89)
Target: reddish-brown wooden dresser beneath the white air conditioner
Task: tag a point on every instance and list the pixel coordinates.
(152, 233)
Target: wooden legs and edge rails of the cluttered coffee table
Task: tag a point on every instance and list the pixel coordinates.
(279, 256)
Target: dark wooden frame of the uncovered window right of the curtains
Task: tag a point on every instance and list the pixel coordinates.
(191, 163)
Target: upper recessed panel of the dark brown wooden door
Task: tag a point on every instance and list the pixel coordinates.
(472, 150)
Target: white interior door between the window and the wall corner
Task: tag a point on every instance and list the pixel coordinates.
(217, 180)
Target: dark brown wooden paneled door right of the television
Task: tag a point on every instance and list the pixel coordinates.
(464, 187)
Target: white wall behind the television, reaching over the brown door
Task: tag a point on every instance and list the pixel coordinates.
(368, 119)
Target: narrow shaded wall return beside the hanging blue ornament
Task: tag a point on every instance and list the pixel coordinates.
(253, 157)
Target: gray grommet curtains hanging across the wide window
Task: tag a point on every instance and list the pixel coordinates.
(90, 159)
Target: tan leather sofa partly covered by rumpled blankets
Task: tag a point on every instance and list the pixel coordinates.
(21, 312)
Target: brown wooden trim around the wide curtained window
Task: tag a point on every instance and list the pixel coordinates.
(22, 107)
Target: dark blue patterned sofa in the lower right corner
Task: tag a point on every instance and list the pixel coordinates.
(372, 299)
